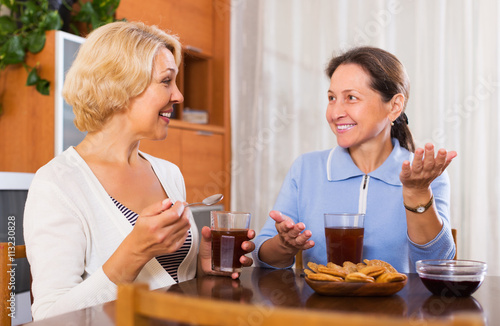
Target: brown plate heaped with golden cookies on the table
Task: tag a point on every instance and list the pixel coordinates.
(369, 278)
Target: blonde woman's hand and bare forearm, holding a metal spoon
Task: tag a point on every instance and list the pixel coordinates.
(160, 229)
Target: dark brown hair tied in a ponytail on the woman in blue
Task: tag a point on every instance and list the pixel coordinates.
(388, 78)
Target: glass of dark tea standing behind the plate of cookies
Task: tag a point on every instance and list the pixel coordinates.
(344, 237)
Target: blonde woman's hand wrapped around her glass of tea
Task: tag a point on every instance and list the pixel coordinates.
(205, 254)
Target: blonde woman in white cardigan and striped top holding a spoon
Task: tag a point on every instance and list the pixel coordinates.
(103, 212)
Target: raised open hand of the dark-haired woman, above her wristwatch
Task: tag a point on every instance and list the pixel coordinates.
(425, 167)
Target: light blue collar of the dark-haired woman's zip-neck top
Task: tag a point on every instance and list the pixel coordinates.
(340, 165)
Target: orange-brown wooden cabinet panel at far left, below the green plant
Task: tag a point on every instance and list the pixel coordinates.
(27, 122)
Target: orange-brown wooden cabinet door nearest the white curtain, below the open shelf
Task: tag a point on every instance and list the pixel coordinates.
(202, 164)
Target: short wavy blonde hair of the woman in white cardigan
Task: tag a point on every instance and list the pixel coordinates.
(113, 65)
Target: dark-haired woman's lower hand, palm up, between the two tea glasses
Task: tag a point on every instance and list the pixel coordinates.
(291, 235)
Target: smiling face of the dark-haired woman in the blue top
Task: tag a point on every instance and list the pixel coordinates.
(356, 113)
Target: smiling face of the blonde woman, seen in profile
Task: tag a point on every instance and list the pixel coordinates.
(149, 113)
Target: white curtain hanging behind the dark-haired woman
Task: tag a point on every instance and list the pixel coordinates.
(451, 50)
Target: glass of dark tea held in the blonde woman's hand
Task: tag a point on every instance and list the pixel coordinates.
(229, 230)
